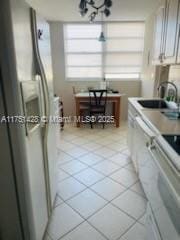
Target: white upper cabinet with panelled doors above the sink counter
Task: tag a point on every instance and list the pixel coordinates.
(166, 32)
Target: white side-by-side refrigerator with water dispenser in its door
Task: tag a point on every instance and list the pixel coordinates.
(29, 36)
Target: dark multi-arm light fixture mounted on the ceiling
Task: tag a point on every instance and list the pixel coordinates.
(83, 8)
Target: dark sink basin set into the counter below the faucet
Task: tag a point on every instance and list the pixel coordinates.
(154, 103)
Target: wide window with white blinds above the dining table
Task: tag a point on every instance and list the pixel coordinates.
(120, 57)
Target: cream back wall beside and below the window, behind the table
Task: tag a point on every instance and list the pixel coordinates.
(63, 88)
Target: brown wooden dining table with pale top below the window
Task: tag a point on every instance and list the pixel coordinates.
(114, 98)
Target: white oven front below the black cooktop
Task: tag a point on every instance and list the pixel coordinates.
(163, 194)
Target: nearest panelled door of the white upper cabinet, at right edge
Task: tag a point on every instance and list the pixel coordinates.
(171, 35)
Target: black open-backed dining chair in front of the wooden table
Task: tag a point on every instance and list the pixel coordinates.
(97, 105)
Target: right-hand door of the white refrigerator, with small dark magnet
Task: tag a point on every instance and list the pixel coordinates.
(42, 51)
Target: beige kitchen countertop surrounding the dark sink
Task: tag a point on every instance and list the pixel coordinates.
(157, 120)
